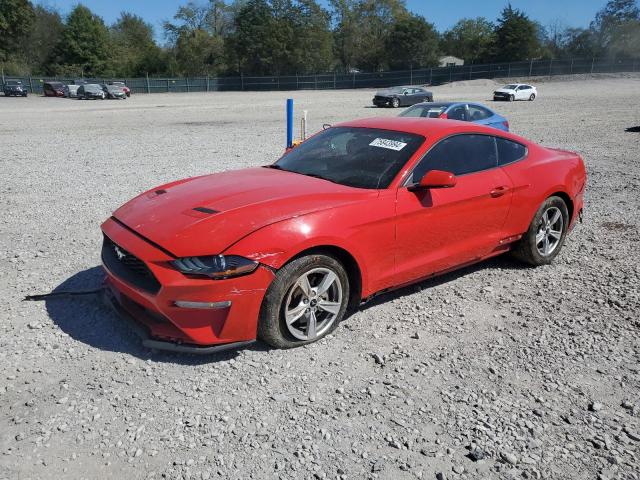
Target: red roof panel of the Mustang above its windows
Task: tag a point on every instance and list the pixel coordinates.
(429, 127)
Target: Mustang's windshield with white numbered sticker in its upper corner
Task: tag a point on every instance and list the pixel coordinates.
(355, 157)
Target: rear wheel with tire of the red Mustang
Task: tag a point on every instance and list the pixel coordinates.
(545, 234)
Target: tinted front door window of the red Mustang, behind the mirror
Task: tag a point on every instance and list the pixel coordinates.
(460, 154)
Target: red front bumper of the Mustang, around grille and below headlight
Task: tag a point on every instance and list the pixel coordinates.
(185, 329)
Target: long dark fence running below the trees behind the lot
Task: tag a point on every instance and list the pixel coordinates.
(331, 81)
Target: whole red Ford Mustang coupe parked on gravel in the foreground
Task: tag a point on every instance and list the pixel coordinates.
(281, 252)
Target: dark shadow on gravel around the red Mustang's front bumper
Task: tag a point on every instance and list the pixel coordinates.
(88, 320)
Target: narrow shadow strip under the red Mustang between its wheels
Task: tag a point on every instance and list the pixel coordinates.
(501, 262)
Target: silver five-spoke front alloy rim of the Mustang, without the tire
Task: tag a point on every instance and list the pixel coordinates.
(313, 304)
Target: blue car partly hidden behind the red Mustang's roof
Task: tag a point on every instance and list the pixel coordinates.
(465, 111)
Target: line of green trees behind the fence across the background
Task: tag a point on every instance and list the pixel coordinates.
(279, 37)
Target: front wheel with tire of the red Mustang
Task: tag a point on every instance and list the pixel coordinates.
(286, 297)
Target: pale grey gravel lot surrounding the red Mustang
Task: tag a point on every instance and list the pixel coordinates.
(496, 371)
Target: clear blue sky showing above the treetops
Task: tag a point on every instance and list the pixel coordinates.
(444, 14)
